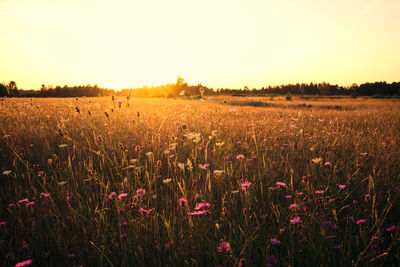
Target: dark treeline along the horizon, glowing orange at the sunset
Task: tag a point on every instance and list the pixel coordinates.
(182, 88)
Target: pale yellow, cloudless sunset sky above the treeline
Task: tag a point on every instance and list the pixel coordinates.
(218, 43)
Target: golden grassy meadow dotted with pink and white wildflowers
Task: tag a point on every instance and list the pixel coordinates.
(225, 181)
